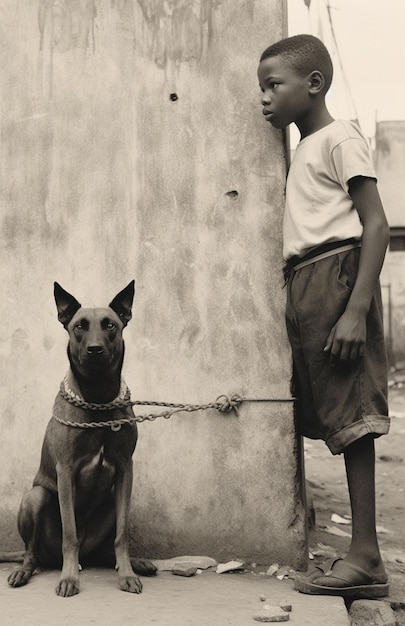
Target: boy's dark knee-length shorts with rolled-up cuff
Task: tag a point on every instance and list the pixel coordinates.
(340, 404)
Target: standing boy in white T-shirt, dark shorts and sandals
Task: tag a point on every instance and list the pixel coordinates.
(335, 236)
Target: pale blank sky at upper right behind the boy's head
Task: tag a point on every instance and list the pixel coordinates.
(371, 41)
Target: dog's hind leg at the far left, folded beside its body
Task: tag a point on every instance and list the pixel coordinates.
(29, 514)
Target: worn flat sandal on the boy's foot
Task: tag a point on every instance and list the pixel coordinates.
(357, 583)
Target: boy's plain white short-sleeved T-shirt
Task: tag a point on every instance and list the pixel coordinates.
(318, 207)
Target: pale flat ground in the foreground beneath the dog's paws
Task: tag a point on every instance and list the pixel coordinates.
(166, 600)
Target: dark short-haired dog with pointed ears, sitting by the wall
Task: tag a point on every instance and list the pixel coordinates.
(77, 511)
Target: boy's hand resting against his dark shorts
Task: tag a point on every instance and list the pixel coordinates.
(346, 339)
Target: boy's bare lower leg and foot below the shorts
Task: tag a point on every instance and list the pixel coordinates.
(364, 551)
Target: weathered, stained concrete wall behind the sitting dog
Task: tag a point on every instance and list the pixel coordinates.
(133, 146)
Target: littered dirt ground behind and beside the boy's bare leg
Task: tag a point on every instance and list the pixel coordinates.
(326, 479)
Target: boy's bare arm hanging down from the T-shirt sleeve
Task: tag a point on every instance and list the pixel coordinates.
(347, 338)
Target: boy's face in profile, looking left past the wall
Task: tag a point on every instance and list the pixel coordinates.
(285, 93)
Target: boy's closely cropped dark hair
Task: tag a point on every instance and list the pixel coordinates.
(304, 53)
